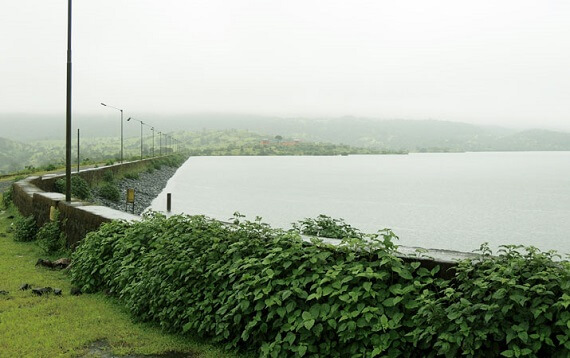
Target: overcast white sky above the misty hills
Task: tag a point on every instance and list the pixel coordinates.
(503, 62)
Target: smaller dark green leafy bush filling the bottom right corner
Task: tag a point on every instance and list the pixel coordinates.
(514, 305)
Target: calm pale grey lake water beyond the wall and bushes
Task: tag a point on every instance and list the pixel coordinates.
(445, 201)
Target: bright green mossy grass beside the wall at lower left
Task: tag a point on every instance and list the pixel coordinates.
(65, 326)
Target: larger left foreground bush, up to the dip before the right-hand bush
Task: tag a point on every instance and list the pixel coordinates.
(253, 287)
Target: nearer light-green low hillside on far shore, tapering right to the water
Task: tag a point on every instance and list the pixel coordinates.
(47, 155)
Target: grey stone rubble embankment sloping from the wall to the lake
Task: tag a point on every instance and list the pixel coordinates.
(147, 187)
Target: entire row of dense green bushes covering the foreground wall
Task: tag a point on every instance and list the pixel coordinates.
(253, 287)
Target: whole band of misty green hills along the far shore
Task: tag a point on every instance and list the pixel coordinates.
(218, 134)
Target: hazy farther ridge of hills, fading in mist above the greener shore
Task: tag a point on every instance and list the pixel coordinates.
(405, 135)
